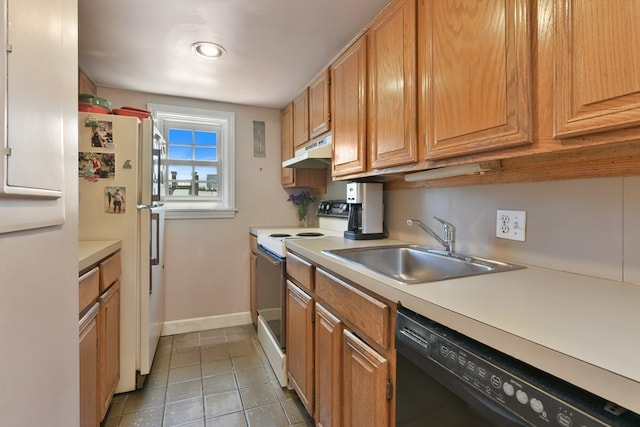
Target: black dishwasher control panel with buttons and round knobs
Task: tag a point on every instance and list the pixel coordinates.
(487, 377)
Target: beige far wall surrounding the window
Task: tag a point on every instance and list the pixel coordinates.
(207, 261)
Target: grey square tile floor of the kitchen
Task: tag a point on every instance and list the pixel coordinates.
(219, 377)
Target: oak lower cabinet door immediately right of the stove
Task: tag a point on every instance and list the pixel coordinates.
(300, 344)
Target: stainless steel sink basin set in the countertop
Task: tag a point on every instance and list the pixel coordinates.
(414, 264)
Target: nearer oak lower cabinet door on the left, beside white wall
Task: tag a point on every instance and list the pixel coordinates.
(89, 368)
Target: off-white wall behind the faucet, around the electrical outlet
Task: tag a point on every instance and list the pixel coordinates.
(587, 226)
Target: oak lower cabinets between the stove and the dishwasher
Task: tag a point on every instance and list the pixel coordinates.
(340, 361)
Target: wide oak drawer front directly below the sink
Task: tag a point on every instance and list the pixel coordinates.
(363, 311)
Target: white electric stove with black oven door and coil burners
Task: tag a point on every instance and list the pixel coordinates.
(271, 277)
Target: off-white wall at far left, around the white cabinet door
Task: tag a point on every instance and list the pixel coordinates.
(39, 378)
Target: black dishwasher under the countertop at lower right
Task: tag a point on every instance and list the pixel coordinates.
(445, 379)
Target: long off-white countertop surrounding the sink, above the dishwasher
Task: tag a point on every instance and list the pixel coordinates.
(582, 329)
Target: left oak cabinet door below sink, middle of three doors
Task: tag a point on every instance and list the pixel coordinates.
(328, 368)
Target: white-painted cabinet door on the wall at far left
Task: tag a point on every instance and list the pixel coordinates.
(32, 123)
